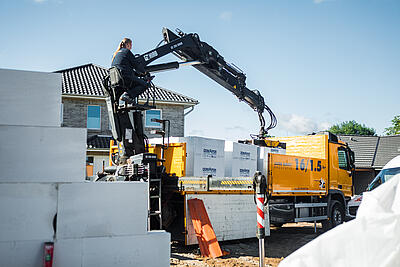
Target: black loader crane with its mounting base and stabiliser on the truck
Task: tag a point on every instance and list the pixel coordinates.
(131, 157)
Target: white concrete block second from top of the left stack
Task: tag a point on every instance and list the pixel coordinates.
(42, 154)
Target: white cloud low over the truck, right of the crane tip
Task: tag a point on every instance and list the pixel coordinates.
(297, 124)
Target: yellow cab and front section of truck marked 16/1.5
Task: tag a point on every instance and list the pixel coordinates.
(313, 182)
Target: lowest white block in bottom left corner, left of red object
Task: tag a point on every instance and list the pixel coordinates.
(22, 253)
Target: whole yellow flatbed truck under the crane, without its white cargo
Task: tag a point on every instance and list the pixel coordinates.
(312, 182)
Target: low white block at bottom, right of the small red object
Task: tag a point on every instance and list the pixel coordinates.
(151, 249)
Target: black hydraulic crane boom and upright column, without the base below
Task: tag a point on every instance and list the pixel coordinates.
(191, 51)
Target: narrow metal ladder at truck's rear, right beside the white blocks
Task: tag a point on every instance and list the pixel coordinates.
(154, 207)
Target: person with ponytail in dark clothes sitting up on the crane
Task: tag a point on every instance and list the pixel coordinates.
(125, 62)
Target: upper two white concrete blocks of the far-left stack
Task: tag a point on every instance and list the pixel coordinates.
(34, 147)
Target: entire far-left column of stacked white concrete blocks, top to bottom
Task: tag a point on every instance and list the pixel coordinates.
(36, 154)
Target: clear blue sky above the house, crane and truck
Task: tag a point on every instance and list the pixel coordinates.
(316, 62)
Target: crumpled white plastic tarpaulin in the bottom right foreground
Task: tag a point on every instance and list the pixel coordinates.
(372, 239)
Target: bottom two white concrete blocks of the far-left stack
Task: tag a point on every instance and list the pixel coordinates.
(26, 222)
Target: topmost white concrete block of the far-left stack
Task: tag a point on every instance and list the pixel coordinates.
(30, 98)
